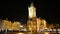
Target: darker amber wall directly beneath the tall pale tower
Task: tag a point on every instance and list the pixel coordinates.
(32, 25)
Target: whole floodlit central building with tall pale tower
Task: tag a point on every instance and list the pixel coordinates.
(34, 23)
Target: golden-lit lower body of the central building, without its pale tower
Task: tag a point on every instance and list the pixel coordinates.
(36, 24)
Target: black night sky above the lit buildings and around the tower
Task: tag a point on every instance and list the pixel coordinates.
(18, 10)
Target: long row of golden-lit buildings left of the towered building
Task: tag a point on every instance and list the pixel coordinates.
(9, 25)
